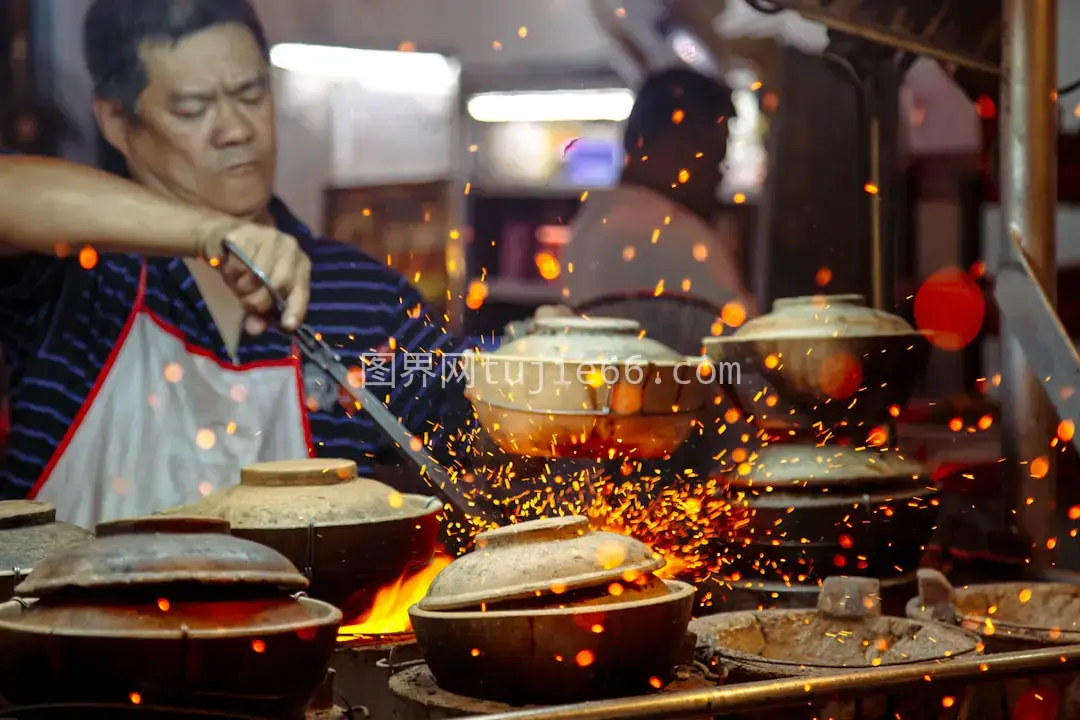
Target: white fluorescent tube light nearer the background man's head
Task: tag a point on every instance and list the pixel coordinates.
(558, 106)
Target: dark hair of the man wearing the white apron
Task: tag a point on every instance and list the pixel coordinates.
(115, 30)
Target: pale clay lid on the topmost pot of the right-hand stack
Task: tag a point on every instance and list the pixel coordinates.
(823, 317)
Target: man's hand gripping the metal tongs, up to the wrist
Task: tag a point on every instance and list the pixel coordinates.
(279, 256)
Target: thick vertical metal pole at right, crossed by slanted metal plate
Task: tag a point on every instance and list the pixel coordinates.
(1029, 199)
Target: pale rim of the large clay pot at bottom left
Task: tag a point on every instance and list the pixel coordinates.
(327, 615)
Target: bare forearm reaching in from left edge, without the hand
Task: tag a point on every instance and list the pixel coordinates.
(46, 202)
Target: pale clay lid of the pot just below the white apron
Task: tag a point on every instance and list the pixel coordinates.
(301, 494)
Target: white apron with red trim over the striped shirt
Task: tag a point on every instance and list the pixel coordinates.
(167, 424)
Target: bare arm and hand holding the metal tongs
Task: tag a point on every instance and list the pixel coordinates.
(53, 202)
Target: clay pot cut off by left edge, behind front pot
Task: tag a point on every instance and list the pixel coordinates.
(29, 534)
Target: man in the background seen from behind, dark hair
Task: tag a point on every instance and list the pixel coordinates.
(657, 226)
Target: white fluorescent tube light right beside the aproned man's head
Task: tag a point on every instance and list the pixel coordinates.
(380, 70)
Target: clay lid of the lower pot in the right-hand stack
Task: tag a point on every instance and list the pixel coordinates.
(780, 465)
